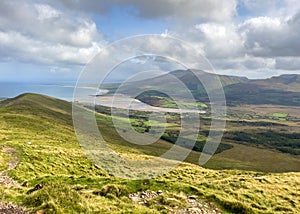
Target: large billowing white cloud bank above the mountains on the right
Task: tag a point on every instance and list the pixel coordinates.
(257, 46)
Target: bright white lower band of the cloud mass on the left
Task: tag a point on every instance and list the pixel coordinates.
(19, 47)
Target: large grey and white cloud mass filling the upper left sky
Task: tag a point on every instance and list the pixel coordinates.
(40, 33)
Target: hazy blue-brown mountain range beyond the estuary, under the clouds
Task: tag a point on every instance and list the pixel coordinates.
(281, 90)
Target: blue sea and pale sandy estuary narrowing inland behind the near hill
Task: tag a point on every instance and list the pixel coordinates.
(65, 91)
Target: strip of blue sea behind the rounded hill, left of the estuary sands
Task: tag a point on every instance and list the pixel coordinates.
(62, 91)
